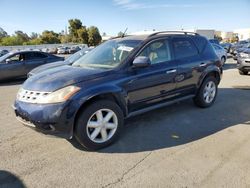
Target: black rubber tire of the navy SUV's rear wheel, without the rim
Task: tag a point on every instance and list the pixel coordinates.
(199, 99)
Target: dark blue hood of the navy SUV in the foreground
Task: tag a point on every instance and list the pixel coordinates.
(59, 77)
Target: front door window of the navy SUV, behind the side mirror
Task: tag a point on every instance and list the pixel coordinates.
(158, 52)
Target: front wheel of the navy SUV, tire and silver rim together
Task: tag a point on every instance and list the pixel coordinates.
(99, 125)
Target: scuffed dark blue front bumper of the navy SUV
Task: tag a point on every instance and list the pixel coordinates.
(51, 119)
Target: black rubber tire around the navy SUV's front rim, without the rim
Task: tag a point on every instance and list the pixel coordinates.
(81, 131)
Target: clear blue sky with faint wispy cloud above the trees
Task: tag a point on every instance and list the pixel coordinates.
(112, 16)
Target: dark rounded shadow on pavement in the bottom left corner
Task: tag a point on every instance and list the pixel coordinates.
(7, 179)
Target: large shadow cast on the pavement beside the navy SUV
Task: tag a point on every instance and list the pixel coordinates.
(181, 123)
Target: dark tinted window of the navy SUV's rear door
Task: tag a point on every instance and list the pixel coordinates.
(184, 47)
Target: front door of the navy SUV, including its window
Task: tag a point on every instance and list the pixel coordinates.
(151, 85)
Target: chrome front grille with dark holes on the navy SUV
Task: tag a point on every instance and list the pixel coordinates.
(31, 96)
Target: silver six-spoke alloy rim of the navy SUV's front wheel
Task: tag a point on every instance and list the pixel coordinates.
(102, 125)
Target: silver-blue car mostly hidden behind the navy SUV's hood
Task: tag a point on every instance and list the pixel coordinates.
(69, 61)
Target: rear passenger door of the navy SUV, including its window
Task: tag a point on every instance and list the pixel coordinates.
(190, 65)
